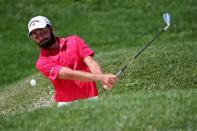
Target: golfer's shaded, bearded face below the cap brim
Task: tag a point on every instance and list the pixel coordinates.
(43, 37)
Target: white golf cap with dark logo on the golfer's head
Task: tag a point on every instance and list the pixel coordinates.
(37, 23)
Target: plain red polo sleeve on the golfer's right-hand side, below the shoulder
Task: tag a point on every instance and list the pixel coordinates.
(83, 48)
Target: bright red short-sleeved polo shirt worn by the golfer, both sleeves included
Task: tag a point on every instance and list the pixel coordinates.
(71, 54)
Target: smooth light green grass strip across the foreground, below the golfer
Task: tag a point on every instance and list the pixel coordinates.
(143, 110)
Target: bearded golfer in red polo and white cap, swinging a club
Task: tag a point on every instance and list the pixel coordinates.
(68, 62)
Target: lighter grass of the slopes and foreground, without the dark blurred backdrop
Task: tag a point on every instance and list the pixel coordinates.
(151, 95)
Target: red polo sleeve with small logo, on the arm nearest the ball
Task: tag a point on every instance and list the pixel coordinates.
(49, 68)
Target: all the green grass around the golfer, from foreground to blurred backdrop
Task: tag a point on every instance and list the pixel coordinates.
(157, 92)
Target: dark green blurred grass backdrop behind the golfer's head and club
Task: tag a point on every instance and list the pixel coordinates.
(106, 25)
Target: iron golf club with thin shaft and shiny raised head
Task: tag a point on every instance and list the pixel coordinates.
(167, 20)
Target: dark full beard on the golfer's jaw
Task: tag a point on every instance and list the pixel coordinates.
(47, 42)
